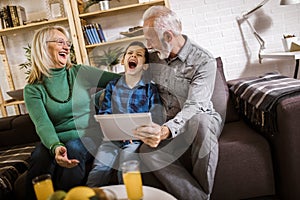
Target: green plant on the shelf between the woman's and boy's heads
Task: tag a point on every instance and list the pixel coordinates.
(109, 58)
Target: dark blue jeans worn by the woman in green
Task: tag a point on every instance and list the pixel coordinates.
(42, 162)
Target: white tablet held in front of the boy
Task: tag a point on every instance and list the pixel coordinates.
(120, 126)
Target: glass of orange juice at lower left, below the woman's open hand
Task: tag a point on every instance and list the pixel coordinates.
(43, 186)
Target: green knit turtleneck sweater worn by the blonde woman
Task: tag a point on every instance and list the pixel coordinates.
(57, 121)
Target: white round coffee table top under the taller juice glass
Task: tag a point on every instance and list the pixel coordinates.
(150, 193)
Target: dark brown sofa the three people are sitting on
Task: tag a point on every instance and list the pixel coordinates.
(251, 164)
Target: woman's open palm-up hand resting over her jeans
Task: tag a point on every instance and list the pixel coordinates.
(62, 158)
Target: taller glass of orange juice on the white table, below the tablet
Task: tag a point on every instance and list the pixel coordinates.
(132, 179)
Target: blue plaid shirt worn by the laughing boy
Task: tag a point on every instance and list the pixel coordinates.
(144, 97)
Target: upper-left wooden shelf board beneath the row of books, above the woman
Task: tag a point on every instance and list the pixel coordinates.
(35, 25)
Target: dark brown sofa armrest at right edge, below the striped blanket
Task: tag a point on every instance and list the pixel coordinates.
(286, 145)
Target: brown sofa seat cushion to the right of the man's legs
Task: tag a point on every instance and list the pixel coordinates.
(245, 166)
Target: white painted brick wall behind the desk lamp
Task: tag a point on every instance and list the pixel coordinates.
(212, 24)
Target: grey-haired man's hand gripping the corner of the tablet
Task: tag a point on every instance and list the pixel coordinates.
(153, 134)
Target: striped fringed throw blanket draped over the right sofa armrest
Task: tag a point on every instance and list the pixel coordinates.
(256, 99)
